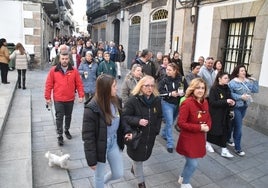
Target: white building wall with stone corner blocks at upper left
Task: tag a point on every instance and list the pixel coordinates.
(24, 26)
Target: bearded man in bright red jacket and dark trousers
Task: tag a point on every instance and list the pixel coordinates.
(62, 81)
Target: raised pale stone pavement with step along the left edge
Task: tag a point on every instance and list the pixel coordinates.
(15, 143)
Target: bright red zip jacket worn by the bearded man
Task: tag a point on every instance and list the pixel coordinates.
(63, 85)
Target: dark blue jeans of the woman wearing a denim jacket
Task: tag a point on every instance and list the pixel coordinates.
(236, 126)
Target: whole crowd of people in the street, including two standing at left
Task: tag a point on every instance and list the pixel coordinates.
(206, 104)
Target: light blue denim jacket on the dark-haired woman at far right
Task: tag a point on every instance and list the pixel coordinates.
(240, 88)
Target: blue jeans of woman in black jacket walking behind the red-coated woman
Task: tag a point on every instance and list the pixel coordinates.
(170, 112)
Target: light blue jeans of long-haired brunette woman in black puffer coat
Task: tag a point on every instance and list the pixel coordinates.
(114, 158)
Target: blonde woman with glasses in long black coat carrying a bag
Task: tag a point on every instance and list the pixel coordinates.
(142, 111)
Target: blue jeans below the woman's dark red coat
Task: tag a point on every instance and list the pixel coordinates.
(189, 168)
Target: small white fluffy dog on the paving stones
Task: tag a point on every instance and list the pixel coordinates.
(54, 159)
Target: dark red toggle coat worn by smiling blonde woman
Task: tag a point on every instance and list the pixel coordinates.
(192, 141)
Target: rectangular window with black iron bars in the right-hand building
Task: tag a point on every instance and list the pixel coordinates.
(239, 43)
